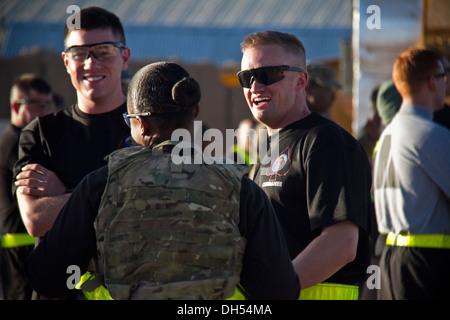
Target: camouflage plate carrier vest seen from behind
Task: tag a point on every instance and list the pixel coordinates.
(167, 231)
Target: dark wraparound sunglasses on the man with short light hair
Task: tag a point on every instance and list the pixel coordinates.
(264, 75)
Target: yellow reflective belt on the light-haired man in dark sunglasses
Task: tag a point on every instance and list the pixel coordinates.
(330, 291)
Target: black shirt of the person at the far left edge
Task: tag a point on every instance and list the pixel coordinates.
(11, 221)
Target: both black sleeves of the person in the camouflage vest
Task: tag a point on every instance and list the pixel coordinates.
(267, 269)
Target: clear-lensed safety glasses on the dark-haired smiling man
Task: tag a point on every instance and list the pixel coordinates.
(100, 51)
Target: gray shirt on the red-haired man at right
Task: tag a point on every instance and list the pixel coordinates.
(412, 175)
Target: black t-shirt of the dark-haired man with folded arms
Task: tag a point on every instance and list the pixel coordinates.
(72, 143)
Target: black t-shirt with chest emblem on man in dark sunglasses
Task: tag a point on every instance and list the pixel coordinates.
(320, 177)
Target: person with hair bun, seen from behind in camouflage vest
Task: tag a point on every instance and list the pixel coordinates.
(160, 230)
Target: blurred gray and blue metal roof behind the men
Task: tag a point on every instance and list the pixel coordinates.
(190, 30)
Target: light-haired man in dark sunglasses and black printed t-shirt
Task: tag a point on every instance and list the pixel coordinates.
(319, 184)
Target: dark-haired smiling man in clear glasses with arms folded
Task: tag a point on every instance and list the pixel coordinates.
(58, 150)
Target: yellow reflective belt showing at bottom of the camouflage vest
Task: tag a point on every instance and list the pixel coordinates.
(93, 290)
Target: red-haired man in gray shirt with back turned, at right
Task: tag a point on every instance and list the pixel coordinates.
(412, 184)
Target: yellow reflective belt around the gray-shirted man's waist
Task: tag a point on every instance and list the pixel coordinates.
(437, 241)
